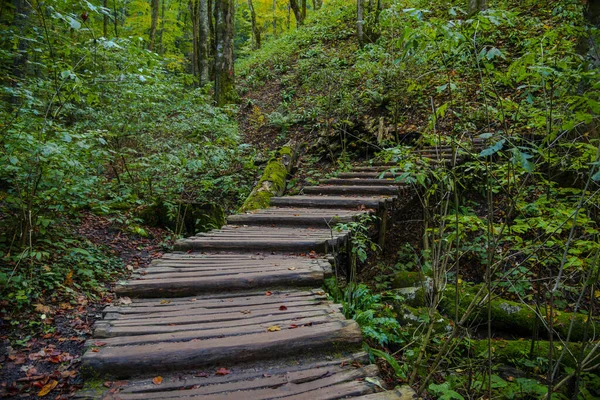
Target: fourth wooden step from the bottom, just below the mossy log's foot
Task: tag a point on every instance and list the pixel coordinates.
(262, 238)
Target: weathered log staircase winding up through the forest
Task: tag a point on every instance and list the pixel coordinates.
(238, 313)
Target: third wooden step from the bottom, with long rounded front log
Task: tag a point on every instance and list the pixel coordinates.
(187, 278)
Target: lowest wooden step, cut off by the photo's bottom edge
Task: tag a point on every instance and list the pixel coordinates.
(315, 378)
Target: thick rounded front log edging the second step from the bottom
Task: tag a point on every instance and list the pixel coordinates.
(122, 361)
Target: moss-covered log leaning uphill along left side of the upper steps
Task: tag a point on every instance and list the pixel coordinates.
(273, 181)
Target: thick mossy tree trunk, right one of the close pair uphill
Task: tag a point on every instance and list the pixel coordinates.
(224, 73)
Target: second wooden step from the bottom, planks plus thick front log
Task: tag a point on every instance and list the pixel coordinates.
(212, 341)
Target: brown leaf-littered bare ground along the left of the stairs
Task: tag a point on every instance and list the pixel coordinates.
(34, 362)
